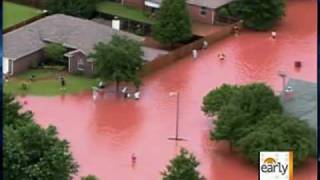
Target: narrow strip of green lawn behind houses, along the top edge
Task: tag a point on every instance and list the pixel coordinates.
(116, 9)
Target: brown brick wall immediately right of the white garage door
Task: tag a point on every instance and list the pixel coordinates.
(24, 63)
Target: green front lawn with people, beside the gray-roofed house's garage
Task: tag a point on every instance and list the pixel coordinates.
(47, 83)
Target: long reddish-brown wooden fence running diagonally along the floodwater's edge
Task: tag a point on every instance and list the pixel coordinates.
(177, 54)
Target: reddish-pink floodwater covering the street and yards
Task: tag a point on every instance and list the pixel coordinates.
(104, 133)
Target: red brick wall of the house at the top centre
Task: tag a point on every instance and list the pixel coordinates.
(196, 16)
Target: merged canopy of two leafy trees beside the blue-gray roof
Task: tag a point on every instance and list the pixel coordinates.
(250, 117)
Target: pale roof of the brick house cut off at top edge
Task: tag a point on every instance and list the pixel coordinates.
(213, 4)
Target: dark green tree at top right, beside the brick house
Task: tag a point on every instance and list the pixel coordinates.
(258, 14)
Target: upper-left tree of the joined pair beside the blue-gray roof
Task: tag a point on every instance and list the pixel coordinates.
(248, 105)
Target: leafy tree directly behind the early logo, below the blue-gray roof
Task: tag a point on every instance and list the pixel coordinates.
(279, 133)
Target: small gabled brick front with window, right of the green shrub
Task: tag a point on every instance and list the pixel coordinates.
(73, 64)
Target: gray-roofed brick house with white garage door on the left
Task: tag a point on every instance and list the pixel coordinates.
(24, 46)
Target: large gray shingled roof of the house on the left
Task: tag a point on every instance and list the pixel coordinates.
(75, 32)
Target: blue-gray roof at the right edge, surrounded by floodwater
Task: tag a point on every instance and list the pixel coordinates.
(304, 102)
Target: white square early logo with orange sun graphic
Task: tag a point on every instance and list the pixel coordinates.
(276, 166)
